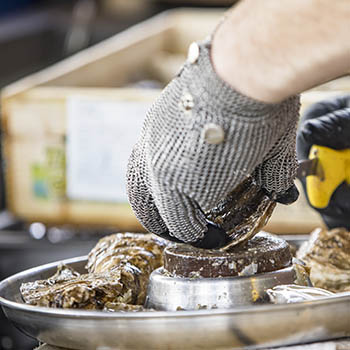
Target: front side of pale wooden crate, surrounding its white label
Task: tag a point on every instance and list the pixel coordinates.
(35, 154)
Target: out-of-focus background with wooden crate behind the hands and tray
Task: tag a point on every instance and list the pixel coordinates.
(76, 79)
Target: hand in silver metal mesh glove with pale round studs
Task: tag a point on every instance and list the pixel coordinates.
(200, 139)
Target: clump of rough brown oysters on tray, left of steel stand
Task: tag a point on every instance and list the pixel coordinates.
(118, 271)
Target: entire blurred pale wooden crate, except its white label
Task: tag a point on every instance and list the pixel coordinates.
(35, 116)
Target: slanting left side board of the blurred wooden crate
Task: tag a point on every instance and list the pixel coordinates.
(109, 63)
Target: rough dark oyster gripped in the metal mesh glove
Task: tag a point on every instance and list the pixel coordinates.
(243, 213)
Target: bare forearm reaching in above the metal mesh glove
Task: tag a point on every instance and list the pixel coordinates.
(272, 49)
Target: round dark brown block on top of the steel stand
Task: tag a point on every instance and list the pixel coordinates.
(263, 253)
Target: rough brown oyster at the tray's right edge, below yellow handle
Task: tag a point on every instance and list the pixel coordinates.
(327, 254)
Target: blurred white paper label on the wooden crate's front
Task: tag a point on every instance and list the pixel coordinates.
(100, 137)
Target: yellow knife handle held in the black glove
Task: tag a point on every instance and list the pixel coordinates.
(333, 169)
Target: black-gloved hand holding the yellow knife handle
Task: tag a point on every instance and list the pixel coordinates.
(327, 123)
